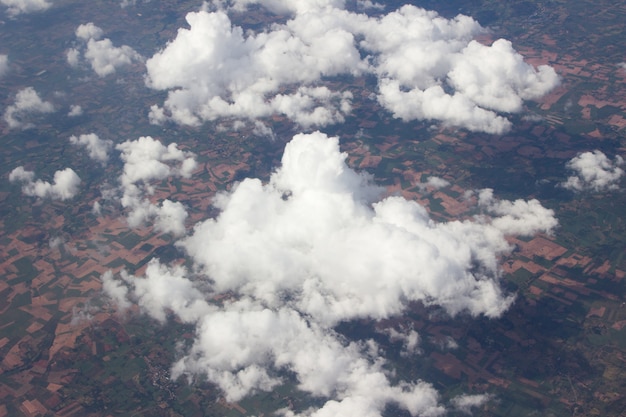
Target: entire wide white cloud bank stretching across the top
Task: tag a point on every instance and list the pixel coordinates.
(427, 67)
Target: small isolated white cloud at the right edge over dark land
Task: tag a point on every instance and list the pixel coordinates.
(594, 171)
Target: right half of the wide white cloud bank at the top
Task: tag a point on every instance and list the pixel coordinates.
(430, 68)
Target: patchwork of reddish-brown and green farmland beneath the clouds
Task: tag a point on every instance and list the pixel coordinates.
(68, 347)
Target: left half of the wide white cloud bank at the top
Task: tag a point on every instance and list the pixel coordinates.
(213, 71)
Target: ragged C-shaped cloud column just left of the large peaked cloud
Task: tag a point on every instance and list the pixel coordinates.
(145, 160)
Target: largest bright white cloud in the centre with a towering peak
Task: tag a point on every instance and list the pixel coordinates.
(326, 231)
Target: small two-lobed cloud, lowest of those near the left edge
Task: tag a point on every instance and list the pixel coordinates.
(64, 187)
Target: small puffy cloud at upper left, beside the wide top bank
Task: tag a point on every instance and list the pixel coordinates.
(101, 54)
